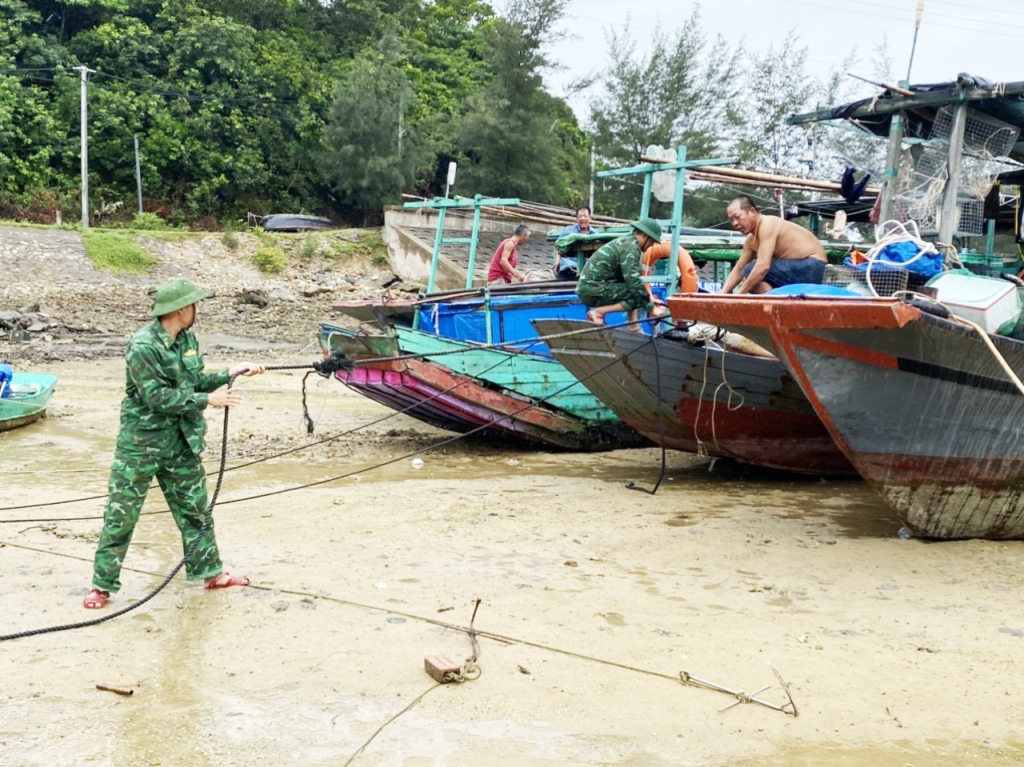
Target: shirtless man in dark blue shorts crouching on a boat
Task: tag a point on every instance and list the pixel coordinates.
(777, 252)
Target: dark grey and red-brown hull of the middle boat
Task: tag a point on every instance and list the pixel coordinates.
(700, 400)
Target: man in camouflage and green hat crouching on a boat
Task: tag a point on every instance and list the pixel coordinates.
(611, 280)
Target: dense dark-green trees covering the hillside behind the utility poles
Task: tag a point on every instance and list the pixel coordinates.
(264, 105)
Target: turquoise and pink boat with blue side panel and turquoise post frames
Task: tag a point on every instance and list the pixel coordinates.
(501, 377)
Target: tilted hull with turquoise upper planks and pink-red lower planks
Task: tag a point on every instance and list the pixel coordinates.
(525, 397)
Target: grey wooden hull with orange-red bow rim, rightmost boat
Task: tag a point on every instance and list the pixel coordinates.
(919, 403)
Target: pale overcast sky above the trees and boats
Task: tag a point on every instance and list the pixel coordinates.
(980, 37)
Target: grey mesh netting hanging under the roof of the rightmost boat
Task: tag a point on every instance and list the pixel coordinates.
(919, 196)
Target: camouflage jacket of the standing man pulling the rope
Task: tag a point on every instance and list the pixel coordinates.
(165, 396)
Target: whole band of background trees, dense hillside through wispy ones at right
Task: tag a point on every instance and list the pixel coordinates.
(338, 108)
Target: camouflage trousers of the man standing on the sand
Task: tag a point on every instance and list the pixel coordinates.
(184, 483)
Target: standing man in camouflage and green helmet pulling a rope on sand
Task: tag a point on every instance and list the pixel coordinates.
(162, 437)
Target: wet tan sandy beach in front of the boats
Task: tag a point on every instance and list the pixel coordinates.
(897, 652)
